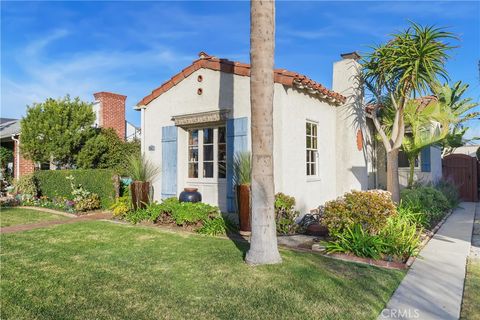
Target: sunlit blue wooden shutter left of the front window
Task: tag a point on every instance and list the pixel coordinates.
(169, 162)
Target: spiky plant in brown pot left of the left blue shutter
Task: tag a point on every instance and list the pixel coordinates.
(142, 172)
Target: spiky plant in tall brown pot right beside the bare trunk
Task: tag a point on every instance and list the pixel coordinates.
(242, 178)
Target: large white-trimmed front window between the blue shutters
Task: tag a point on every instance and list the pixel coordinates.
(207, 153)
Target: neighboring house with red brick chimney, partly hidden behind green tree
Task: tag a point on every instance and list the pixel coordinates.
(109, 109)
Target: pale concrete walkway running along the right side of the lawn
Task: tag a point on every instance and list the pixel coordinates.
(433, 287)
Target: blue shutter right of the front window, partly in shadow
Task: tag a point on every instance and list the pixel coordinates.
(237, 141)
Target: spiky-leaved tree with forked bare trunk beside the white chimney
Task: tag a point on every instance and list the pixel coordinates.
(404, 68)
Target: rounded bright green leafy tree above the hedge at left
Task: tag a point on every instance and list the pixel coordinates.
(55, 130)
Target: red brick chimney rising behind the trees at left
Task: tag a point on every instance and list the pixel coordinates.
(111, 112)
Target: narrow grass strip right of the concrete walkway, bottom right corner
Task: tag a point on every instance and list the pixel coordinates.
(471, 295)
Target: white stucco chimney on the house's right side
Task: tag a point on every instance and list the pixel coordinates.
(351, 125)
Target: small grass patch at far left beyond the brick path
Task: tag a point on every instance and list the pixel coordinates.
(16, 216)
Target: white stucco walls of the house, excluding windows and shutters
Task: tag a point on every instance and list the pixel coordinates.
(292, 109)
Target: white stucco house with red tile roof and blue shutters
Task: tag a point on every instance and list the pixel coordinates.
(194, 123)
